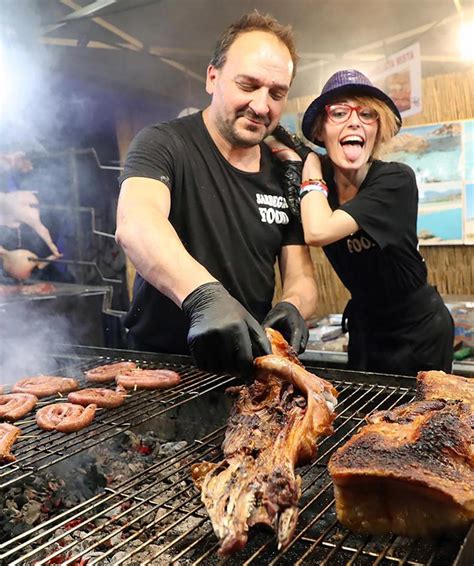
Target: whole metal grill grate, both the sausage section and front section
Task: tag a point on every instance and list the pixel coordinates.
(156, 516)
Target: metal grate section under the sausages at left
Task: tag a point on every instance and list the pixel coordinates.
(36, 449)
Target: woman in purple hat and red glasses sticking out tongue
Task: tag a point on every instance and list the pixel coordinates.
(363, 212)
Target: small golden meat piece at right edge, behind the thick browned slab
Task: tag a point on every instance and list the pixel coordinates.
(440, 385)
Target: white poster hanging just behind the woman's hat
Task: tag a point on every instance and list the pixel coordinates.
(399, 75)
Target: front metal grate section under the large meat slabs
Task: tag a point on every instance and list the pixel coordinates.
(156, 517)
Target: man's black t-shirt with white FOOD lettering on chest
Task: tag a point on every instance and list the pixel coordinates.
(232, 222)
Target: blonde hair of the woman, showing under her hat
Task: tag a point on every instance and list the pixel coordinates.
(388, 122)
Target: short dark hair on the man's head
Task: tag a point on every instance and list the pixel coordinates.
(253, 21)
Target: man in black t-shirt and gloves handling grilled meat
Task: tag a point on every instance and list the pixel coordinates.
(202, 214)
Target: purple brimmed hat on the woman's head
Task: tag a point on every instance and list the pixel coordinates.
(345, 82)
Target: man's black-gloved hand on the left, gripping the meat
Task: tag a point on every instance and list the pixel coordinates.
(223, 336)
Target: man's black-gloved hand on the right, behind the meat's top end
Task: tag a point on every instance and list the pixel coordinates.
(286, 318)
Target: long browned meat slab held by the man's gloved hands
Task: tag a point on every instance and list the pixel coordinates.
(274, 426)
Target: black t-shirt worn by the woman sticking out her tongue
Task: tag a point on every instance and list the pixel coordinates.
(380, 263)
